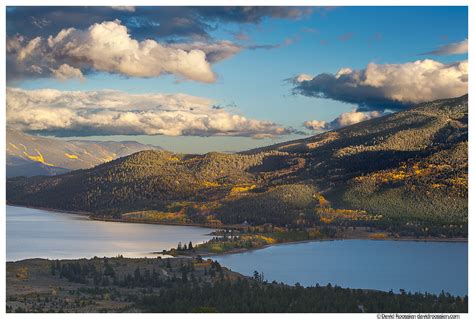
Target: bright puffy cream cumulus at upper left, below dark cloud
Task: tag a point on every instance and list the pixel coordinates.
(109, 47)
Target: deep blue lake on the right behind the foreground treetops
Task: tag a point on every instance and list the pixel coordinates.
(375, 264)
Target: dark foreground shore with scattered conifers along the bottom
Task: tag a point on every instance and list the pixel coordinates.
(190, 285)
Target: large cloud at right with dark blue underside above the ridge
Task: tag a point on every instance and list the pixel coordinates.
(387, 86)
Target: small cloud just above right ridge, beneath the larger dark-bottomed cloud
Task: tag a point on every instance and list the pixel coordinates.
(344, 119)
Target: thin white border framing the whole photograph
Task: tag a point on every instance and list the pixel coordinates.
(216, 3)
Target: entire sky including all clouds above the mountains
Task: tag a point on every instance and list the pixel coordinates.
(200, 79)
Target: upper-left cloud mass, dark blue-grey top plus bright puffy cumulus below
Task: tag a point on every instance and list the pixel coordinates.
(70, 42)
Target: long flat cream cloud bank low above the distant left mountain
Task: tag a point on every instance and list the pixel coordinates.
(108, 112)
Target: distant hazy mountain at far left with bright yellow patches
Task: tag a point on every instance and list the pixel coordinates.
(29, 155)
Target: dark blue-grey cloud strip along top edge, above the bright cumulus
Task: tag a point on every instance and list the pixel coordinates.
(143, 22)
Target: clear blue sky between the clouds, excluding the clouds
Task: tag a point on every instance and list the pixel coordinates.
(253, 82)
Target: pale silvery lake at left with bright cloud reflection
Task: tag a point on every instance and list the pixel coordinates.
(38, 233)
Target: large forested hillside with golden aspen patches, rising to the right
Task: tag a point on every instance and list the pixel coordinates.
(405, 172)
